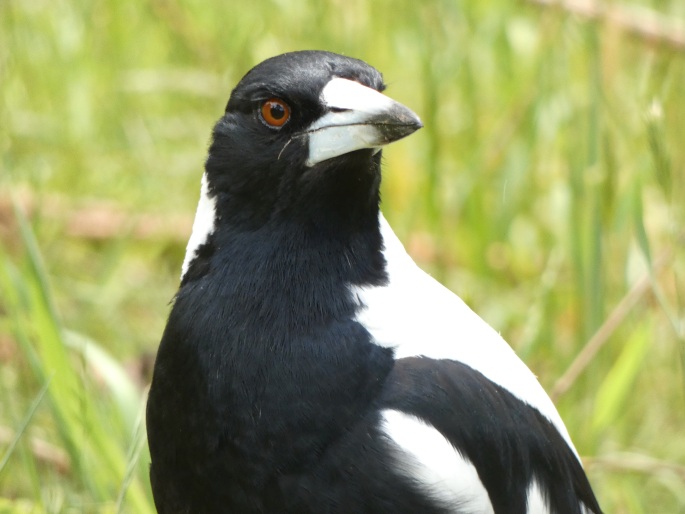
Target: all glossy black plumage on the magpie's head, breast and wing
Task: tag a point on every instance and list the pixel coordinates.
(268, 392)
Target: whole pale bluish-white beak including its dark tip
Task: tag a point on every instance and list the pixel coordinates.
(358, 117)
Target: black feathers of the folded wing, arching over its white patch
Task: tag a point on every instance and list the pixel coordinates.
(509, 442)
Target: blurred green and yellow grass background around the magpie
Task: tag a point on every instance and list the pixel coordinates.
(547, 189)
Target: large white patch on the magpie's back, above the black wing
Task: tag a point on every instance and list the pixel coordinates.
(417, 315)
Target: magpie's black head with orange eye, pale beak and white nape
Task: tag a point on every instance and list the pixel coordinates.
(299, 141)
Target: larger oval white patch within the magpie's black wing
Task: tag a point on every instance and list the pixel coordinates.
(424, 455)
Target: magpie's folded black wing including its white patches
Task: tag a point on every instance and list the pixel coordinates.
(469, 442)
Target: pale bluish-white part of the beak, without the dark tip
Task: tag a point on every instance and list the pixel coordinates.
(338, 133)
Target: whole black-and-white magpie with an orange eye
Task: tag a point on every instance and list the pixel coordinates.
(308, 365)
